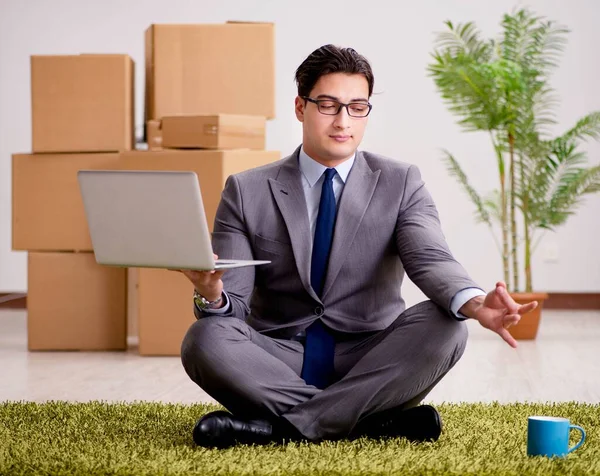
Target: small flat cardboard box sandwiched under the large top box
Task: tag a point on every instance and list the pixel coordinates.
(213, 131)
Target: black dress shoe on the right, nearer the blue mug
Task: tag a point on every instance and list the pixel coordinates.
(417, 424)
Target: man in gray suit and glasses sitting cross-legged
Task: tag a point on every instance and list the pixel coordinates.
(318, 344)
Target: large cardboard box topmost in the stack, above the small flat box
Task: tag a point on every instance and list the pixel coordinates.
(210, 69)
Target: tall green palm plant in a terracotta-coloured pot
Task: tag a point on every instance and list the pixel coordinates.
(501, 86)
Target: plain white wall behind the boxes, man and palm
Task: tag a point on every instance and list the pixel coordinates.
(409, 121)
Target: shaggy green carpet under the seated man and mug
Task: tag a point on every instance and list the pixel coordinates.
(152, 438)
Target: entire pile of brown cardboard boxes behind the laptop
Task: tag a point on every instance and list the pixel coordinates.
(212, 114)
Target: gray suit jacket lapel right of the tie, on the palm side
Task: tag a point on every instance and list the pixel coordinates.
(355, 199)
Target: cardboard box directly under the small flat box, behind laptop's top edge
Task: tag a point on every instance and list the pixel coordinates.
(212, 166)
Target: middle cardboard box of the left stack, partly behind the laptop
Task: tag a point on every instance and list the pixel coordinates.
(47, 209)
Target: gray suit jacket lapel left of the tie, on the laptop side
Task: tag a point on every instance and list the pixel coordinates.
(289, 196)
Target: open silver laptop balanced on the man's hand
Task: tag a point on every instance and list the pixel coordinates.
(149, 219)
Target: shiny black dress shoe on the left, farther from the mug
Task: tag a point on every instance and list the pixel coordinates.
(221, 430)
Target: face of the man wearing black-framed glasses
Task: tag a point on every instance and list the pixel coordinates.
(331, 139)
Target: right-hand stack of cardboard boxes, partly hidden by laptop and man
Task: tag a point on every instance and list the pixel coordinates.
(209, 91)
